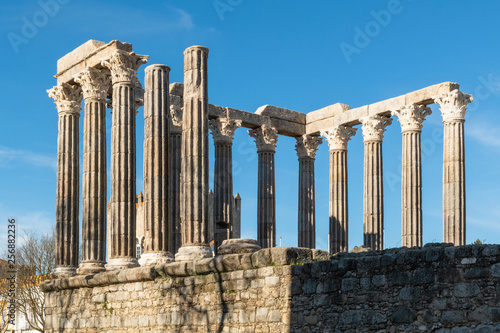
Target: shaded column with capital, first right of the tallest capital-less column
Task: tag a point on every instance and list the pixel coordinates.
(223, 132)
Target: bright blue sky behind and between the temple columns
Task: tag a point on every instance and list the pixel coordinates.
(284, 53)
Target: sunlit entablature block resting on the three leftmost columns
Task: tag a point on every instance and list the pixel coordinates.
(86, 55)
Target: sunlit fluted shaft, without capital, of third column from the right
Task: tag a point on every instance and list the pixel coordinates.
(373, 196)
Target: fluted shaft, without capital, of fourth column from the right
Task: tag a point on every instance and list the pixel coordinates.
(338, 201)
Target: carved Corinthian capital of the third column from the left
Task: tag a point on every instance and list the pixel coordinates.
(124, 65)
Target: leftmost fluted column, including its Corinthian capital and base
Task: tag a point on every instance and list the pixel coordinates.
(68, 101)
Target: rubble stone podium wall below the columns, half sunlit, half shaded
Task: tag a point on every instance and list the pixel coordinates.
(437, 288)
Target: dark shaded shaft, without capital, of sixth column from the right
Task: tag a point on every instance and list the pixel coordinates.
(266, 204)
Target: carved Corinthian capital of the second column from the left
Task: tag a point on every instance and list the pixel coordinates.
(94, 83)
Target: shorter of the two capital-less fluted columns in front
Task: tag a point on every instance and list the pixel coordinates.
(156, 161)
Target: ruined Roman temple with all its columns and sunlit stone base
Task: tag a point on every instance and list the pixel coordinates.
(176, 201)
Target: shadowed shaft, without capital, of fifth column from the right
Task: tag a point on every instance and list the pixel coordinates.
(307, 221)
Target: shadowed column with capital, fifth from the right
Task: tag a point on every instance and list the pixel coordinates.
(306, 148)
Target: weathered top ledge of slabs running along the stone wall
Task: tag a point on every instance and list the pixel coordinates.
(282, 256)
